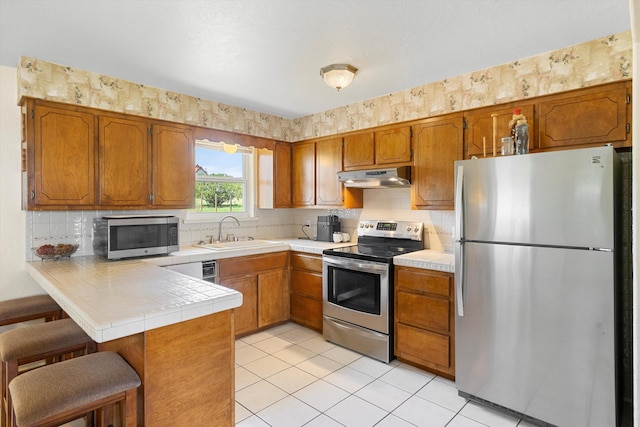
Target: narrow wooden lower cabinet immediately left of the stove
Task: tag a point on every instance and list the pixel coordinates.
(306, 290)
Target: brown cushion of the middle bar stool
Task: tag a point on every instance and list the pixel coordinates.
(40, 338)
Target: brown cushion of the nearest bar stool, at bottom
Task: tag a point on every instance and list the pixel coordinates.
(55, 388)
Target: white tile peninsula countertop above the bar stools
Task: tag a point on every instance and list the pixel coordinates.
(114, 299)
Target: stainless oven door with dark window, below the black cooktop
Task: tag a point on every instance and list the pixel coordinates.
(356, 291)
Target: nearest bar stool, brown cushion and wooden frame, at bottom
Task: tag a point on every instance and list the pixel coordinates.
(65, 391)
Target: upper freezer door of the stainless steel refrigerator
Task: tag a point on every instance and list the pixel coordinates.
(562, 198)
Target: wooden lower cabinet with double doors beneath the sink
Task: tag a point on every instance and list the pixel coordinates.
(263, 281)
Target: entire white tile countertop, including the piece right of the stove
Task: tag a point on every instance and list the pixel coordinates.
(114, 299)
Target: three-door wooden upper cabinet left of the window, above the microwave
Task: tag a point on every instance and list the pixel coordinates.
(80, 158)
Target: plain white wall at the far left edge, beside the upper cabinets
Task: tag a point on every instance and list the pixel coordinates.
(14, 282)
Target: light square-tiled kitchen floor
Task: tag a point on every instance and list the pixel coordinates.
(289, 376)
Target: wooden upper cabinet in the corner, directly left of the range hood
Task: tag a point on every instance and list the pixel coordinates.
(315, 165)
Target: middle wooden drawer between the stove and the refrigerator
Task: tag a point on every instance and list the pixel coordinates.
(423, 312)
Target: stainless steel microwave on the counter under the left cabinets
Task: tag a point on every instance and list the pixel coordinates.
(116, 237)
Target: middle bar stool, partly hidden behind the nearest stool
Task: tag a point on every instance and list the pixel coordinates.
(43, 341)
